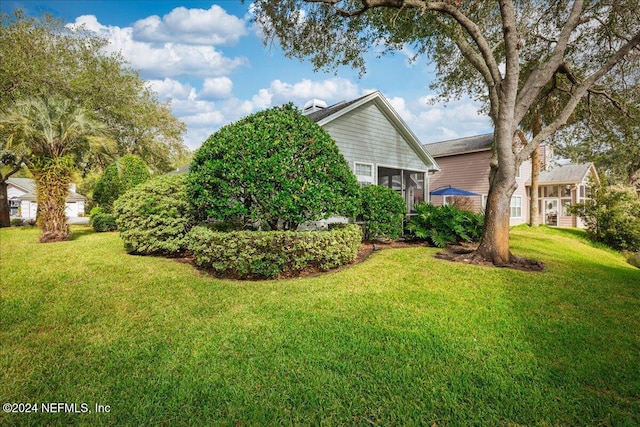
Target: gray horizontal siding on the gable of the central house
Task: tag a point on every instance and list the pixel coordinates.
(366, 135)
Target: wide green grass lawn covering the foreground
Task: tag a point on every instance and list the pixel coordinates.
(400, 339)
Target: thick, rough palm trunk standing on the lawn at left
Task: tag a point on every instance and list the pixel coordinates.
(52, 188)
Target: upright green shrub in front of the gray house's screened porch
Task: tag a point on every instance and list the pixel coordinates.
(383, 212)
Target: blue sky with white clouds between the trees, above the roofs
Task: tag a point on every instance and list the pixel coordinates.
(209, 60)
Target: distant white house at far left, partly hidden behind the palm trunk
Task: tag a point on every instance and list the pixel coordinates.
(21, 193)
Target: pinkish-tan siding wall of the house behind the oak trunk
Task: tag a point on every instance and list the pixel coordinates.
(470, 172)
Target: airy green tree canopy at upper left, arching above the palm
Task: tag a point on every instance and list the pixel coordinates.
(41, 57)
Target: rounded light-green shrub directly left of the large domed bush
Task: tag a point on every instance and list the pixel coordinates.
(154, 217)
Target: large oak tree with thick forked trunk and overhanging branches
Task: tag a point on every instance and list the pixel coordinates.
(503, 51)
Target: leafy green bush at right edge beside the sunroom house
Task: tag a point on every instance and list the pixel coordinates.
(612, 216)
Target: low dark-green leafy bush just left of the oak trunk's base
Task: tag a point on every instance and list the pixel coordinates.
(442, 225)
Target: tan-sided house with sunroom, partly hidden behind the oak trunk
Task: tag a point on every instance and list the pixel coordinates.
(465, 164)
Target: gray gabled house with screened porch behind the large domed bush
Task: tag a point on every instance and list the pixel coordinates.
(378, 145)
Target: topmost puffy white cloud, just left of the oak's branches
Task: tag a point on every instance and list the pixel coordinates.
(191, 26)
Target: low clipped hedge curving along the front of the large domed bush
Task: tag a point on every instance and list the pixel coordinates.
(269, 254)
